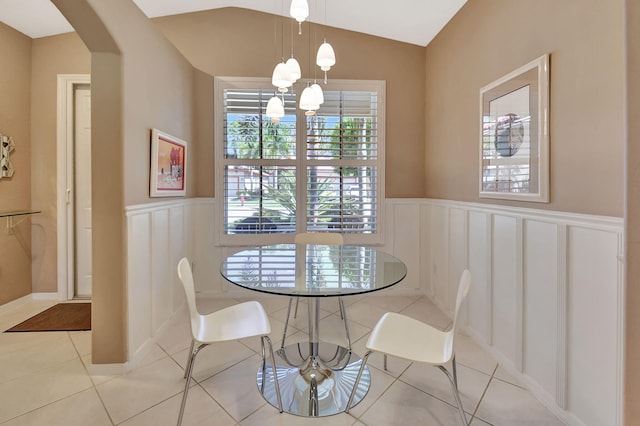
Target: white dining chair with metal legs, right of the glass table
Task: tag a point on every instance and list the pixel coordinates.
(404, 337)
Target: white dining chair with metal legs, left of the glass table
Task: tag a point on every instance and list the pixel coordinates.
(239, 321)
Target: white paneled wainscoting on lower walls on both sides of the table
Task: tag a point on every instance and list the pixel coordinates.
(546, 299)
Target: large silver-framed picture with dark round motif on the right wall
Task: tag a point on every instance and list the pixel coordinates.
(514, 134)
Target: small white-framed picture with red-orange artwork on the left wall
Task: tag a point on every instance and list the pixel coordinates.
(167, 177)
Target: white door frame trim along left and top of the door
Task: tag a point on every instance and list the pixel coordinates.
(67, 84)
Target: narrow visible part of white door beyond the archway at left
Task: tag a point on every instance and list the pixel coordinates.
(82, 186)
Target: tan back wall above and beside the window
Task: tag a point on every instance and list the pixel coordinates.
(239, 42)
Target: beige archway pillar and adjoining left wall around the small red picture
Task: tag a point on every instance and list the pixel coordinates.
(139, 82)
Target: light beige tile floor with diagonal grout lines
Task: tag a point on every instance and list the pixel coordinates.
(45, 380)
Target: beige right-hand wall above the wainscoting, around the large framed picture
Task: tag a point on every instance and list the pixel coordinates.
(490, 38)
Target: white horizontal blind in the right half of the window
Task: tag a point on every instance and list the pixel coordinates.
(342, 163)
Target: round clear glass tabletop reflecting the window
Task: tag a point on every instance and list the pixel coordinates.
(313, 270)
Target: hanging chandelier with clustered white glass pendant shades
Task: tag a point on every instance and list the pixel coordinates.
(287, 73)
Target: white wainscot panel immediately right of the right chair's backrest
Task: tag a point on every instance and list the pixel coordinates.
(479, 299)
